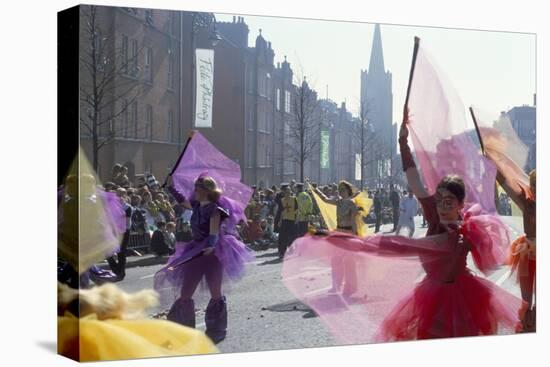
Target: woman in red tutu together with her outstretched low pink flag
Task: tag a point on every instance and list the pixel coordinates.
(395, 301)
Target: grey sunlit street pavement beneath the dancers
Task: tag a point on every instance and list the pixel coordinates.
(263, 314)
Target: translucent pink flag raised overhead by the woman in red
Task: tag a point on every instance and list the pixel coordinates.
(443, 137)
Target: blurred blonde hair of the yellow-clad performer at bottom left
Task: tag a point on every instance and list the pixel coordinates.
(106, 301)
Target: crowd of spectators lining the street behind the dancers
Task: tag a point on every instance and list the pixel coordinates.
(156, 221)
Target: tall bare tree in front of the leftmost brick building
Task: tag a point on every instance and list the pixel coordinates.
(103, 93)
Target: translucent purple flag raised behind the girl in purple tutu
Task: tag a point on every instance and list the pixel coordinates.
(202, 158)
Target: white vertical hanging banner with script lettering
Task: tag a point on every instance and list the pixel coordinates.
(205, 87)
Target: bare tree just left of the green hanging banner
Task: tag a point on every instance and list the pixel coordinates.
(303, 127)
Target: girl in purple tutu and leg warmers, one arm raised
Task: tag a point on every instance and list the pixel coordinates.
(214, 253)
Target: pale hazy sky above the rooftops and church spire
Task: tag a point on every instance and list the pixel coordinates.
(492, 70)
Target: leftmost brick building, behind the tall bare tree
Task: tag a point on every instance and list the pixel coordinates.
(143, 125)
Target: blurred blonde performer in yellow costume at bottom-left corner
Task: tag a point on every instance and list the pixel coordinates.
(113, 326)
